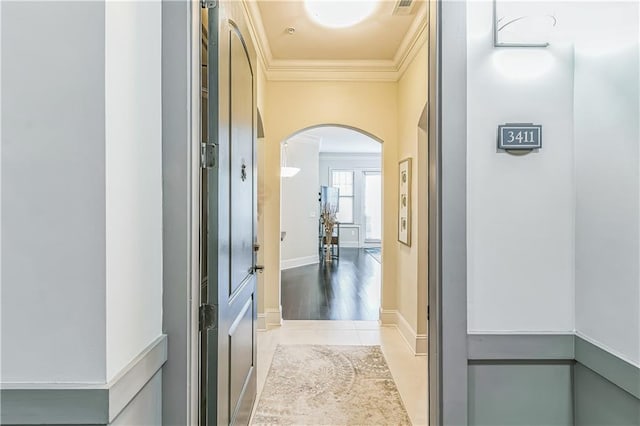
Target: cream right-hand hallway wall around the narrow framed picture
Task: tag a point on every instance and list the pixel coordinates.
(412, 98)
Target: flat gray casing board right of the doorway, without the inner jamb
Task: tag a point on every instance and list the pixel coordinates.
(453, 145)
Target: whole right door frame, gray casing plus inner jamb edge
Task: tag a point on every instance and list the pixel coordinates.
(448, 359)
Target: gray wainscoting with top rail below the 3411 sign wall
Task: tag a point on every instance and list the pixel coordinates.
(549, 379)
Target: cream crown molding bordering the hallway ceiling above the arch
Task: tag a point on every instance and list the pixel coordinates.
(388, 70)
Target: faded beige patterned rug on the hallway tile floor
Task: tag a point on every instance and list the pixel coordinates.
(329, 385)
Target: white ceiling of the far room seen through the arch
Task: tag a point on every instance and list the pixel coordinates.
(341, 140)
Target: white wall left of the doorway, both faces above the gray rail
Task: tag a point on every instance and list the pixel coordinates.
(81, 189)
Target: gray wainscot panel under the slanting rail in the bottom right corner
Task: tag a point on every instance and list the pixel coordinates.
(599, 402)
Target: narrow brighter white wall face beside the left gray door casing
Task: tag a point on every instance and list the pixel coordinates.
(133, 179)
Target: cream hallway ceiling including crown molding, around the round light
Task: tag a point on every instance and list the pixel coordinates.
(378, 48)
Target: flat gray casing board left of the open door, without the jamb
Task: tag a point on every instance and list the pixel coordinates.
(176, 31)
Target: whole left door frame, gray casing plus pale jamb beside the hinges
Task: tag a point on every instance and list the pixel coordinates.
(181, 206)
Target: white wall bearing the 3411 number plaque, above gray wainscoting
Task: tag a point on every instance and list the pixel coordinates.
(528, 243)
